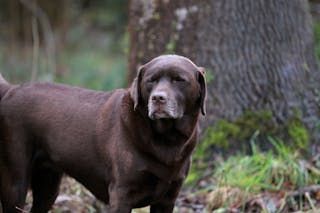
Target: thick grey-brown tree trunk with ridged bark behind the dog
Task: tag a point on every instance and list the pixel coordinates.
(259, 54)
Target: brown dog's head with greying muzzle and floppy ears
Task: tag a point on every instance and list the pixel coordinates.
(170, 86)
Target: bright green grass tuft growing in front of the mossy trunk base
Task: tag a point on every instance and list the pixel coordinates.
(278, 170)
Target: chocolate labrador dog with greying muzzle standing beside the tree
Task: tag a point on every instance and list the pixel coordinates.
(130, 147)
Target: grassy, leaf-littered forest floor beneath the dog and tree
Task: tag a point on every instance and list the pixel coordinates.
(229, 193)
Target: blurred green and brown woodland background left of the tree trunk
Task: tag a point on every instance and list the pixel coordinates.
(75, 42)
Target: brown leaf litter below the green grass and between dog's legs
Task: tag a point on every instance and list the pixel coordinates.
(75, 198)
